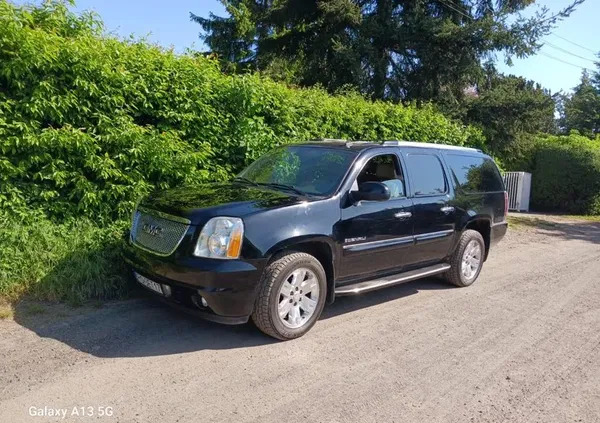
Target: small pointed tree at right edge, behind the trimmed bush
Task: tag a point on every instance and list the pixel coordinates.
(582, 108)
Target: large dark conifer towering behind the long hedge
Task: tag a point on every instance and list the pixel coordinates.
(387, 49)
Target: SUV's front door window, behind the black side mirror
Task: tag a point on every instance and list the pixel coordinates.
(385, 169)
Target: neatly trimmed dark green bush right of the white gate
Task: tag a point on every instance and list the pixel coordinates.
(566, 174)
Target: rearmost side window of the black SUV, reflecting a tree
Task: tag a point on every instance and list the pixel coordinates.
(474, 174)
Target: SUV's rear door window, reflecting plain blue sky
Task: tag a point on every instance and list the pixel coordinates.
(426, 174)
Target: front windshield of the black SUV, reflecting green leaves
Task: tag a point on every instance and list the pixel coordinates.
(312, 170)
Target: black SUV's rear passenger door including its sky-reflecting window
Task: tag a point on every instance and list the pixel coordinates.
(433, 216)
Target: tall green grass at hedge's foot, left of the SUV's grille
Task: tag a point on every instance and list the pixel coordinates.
(72, 262)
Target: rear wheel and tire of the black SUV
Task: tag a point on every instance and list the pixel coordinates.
(470, 246)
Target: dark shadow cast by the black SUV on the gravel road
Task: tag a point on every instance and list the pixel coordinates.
(144, 327)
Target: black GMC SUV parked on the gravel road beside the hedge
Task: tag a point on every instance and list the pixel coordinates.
(308, 222)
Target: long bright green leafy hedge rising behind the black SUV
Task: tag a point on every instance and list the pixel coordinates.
(88, 122)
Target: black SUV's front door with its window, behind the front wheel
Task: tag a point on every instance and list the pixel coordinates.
(375, 234)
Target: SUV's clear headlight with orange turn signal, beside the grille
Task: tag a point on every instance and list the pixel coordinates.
(221, 237)
